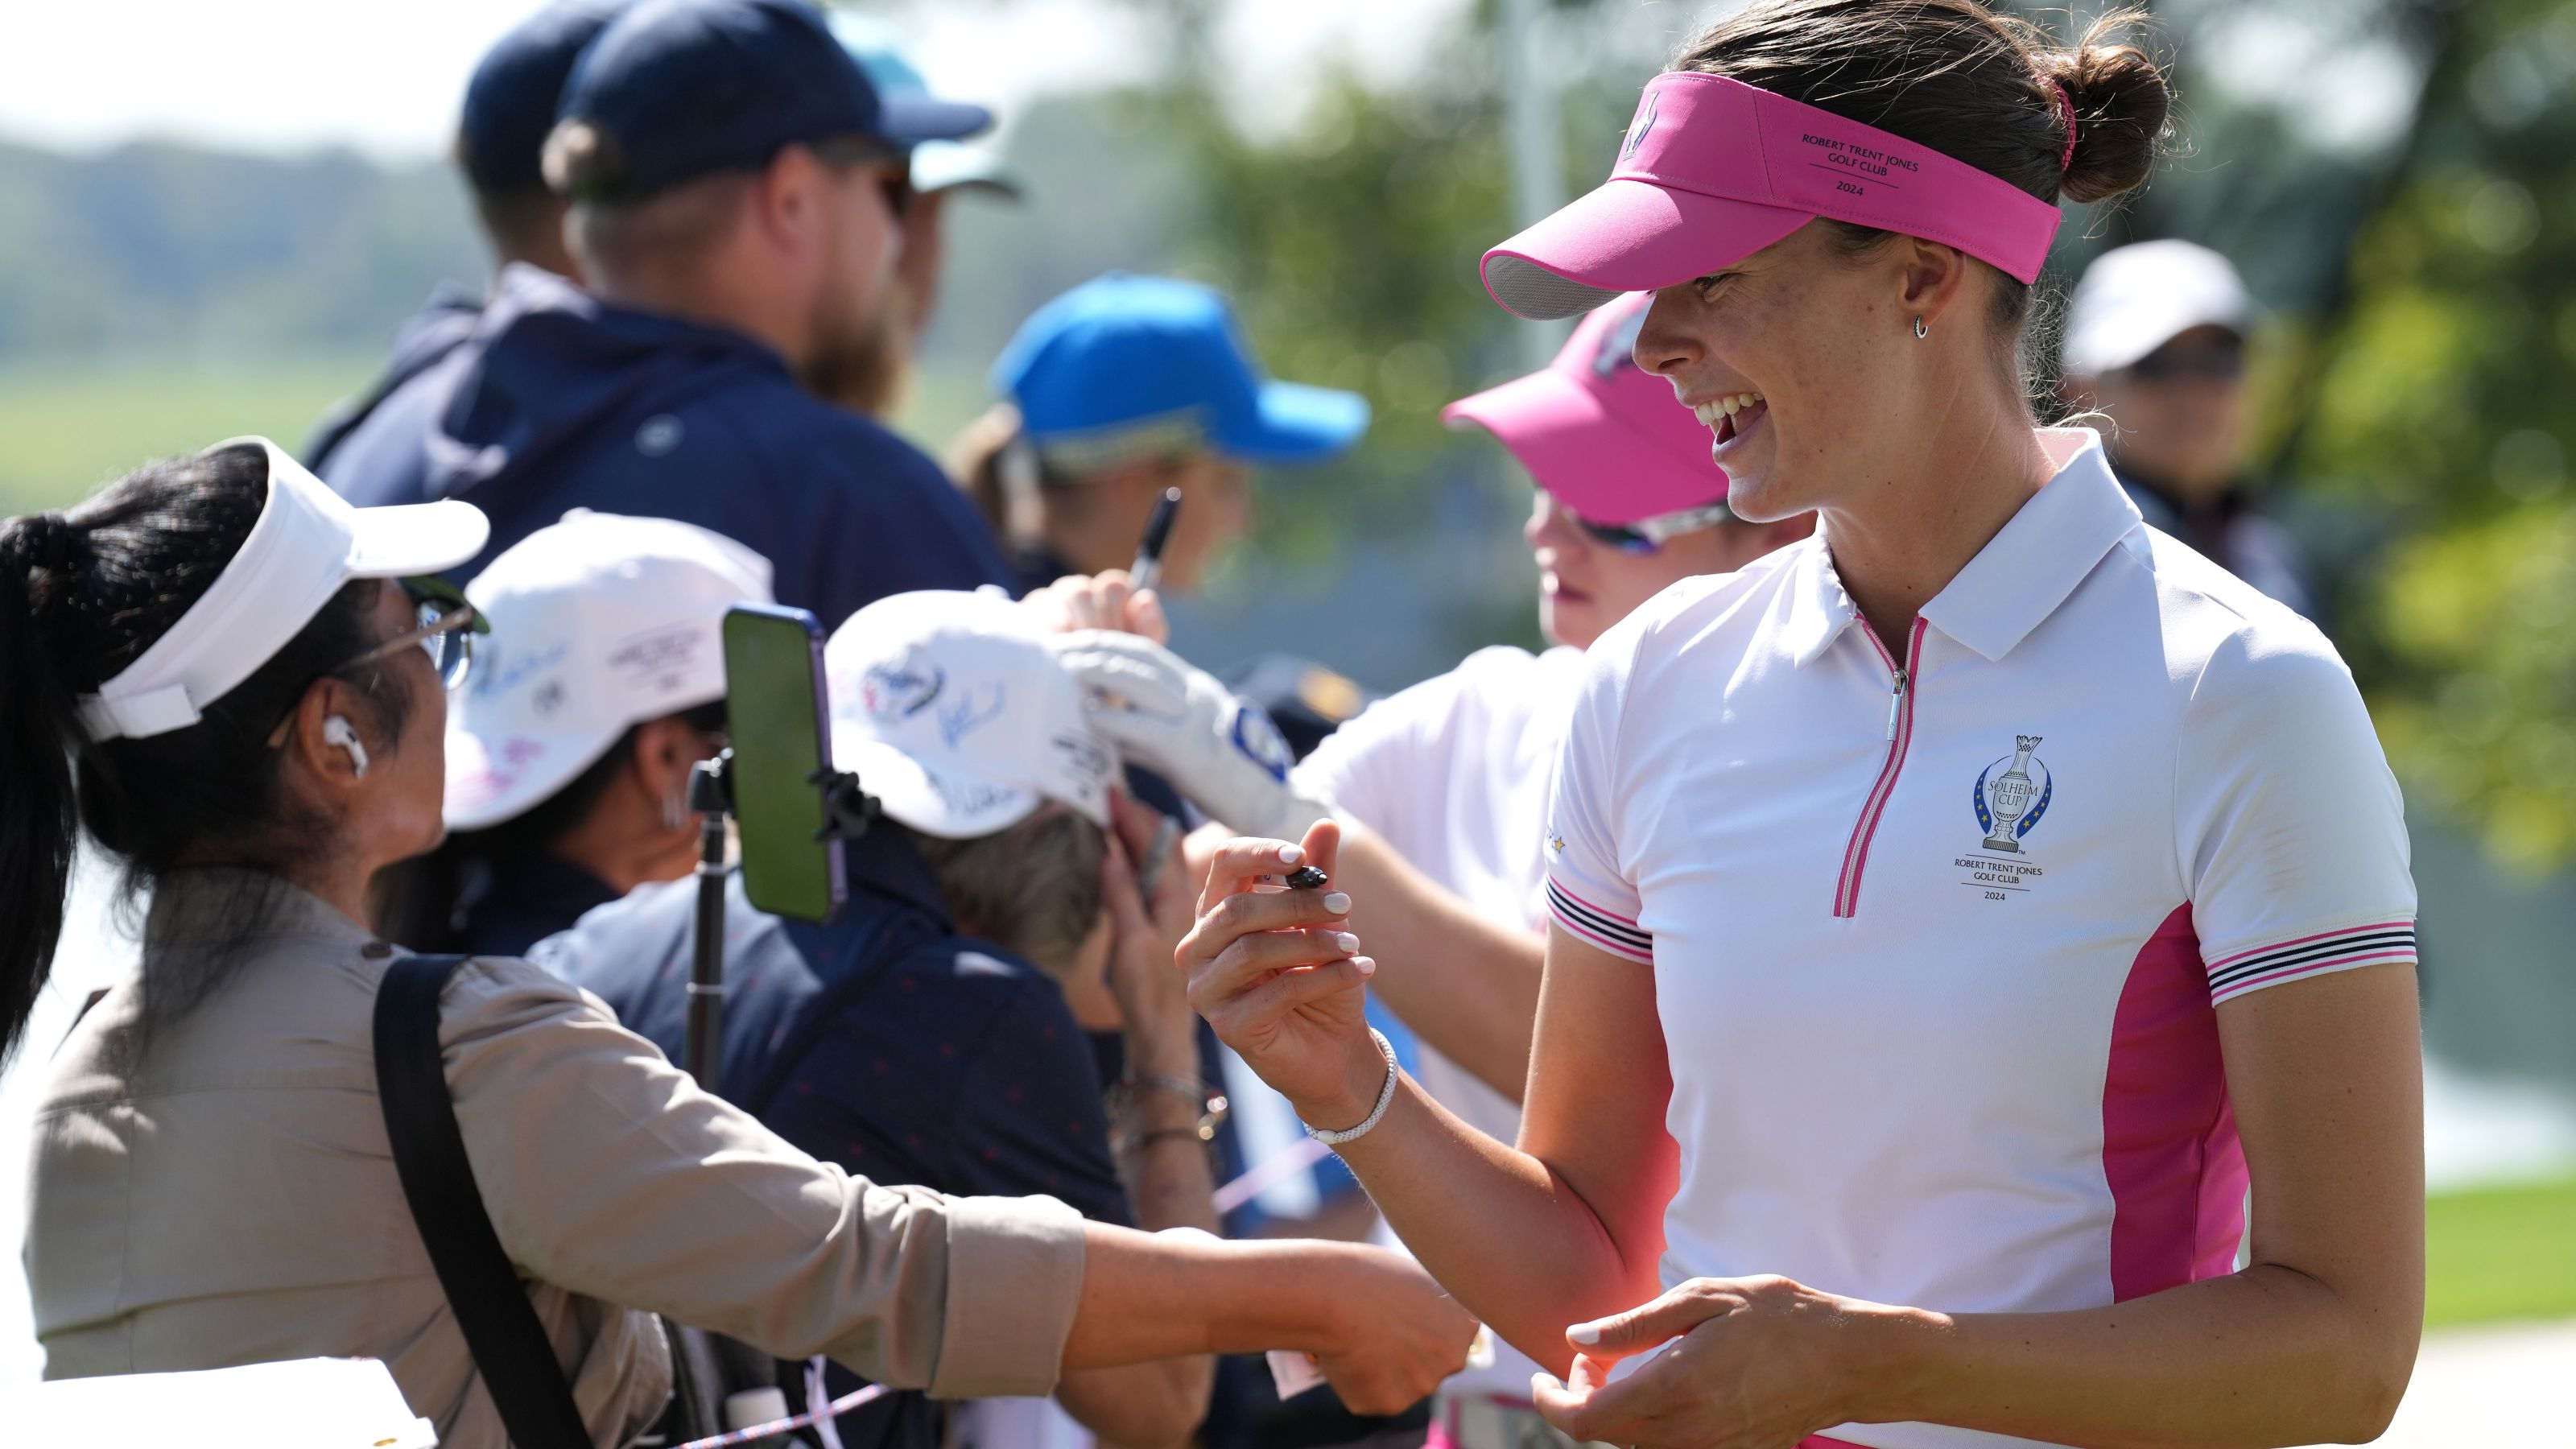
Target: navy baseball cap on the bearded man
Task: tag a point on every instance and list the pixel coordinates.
(681, 89)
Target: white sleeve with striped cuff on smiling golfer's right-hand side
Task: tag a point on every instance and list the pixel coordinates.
(2294, 826)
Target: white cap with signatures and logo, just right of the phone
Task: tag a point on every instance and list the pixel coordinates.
(957, 715)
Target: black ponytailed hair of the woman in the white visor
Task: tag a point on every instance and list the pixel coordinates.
(84, 597)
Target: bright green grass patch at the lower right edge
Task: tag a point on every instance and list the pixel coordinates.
(2500, 1254)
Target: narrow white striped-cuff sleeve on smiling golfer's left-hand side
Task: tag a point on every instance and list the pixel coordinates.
(1588, 893)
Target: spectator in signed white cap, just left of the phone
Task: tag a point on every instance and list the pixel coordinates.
(571, 749)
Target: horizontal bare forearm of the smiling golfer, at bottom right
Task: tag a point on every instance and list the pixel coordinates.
(2250, 1360)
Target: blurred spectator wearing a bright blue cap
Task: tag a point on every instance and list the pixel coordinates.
(1119, 391)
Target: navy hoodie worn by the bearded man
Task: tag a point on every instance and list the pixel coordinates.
(560, 401)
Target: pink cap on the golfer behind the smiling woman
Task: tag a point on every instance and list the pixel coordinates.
(1598, 432)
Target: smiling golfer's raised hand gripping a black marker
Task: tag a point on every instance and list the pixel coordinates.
(1282, 981)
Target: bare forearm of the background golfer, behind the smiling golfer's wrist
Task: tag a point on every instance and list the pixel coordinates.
(1459, 981)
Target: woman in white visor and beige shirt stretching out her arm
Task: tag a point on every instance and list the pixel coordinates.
(236, 685)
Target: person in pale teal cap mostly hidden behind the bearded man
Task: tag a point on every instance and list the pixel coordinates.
(880, 373)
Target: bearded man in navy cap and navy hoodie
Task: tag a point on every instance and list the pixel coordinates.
(735, 202)
